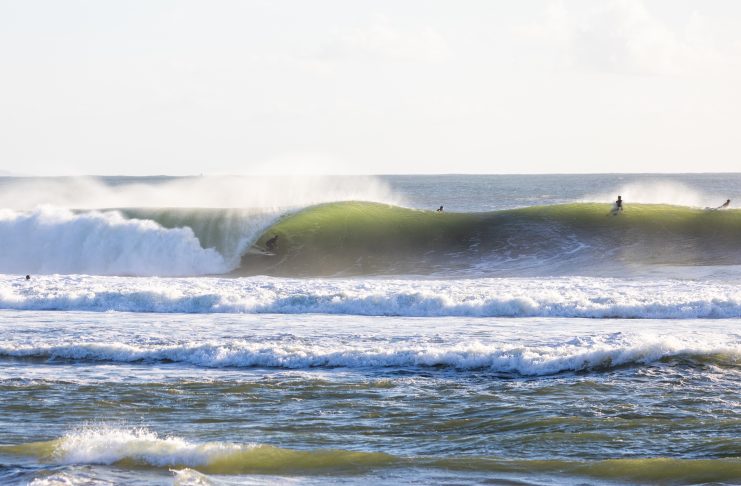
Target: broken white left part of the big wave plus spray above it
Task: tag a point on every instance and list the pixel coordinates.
(156, 225)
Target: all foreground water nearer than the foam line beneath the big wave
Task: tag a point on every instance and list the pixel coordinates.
(123, 397)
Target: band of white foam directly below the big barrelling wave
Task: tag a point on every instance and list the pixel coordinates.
(497, 297)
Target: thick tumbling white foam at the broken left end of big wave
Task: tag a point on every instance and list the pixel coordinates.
(55, 240)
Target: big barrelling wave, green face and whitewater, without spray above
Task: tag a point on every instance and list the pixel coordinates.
(370, 239)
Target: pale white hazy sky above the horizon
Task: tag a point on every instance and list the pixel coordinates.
(369, 87)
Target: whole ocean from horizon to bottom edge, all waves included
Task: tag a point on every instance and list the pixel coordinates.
(523, 335)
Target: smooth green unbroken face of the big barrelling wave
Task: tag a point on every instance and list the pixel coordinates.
(357, 238)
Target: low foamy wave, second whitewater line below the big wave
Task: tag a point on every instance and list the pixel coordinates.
(579, 354)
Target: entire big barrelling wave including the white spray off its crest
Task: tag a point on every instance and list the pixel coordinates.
(329, 226)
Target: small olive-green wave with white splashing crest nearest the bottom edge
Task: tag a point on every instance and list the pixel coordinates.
(192, 461)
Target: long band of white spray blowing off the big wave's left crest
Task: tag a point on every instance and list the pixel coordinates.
(284, 192)
